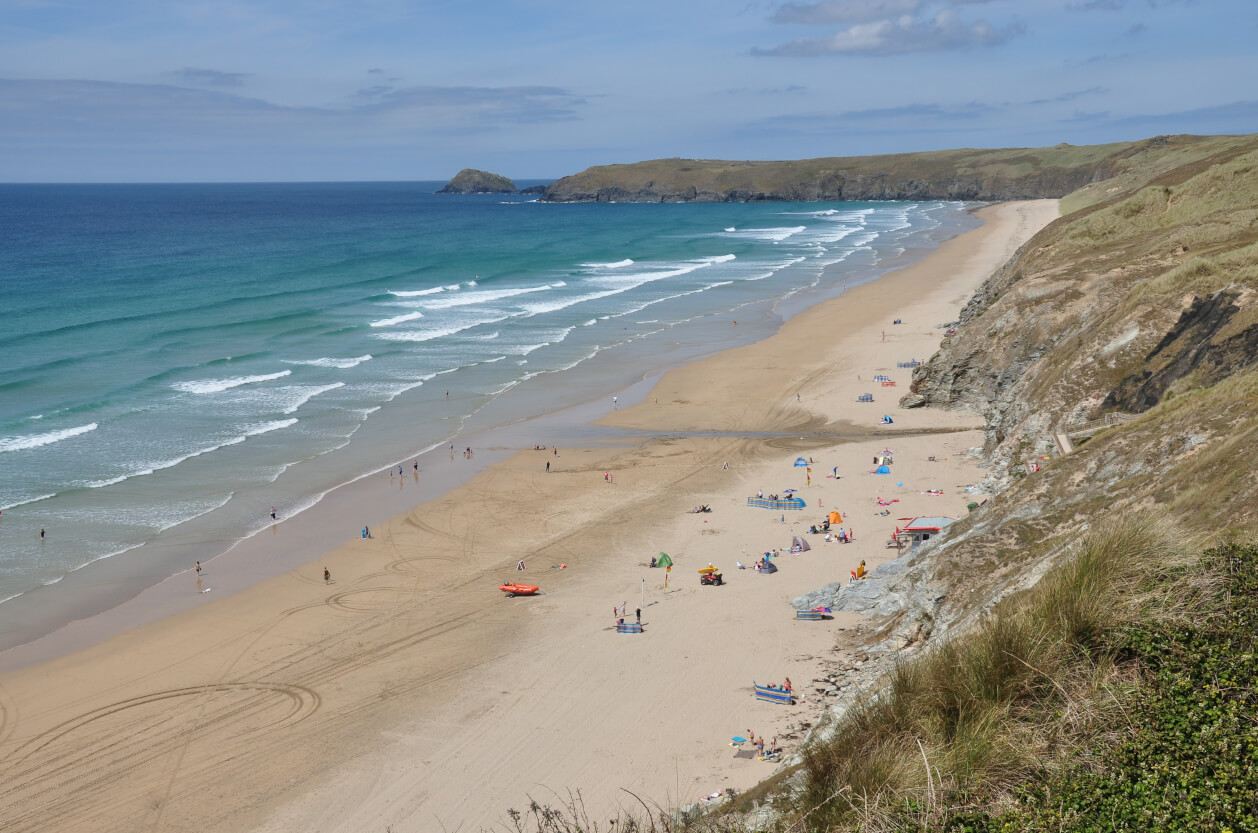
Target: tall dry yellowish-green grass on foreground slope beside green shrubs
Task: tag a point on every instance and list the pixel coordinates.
(979, 715)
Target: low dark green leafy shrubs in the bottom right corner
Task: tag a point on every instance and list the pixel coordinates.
(1189, 761)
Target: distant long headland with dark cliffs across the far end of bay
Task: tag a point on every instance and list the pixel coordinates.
(984, 176)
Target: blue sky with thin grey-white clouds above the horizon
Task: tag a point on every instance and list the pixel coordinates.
(162, 91)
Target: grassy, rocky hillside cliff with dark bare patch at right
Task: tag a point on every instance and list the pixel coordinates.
(1115, 308)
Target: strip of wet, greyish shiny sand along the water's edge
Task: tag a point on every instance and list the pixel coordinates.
(36, 630)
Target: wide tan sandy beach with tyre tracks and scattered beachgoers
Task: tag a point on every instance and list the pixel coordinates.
(408, 694)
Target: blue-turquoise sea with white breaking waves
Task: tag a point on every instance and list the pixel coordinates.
(175, 361)
